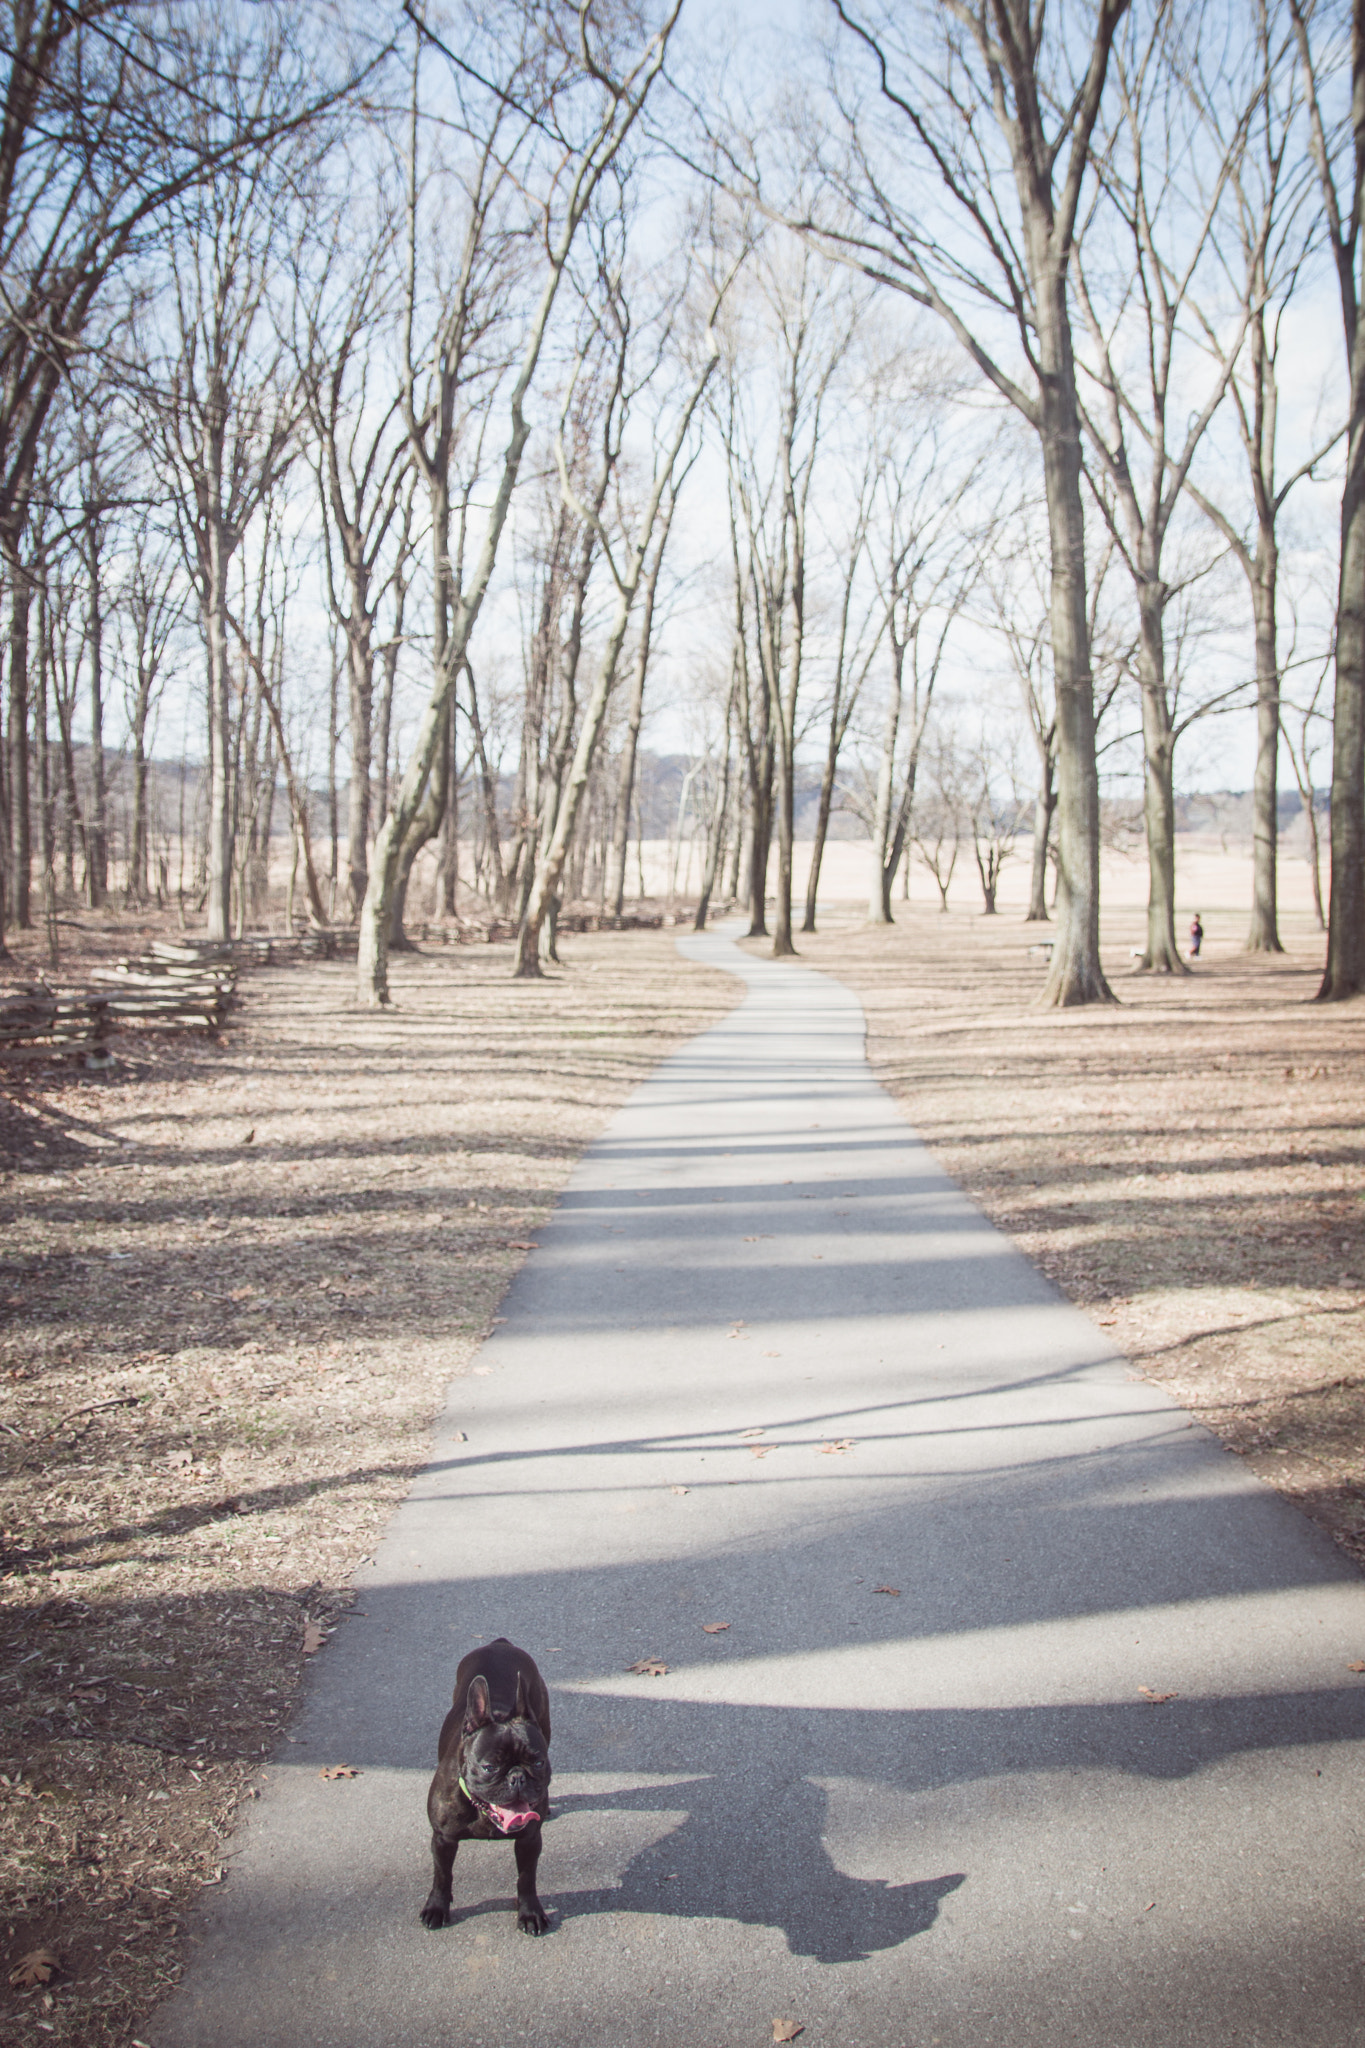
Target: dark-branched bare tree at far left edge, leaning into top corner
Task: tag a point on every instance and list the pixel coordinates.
(114, 110)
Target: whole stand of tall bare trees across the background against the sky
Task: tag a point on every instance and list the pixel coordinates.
(408, 407)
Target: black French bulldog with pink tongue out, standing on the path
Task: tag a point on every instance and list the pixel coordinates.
(494, 1775)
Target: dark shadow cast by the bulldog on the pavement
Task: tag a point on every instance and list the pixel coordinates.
(783, 1875)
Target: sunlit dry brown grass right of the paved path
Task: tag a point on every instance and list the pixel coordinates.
(1186, 1164)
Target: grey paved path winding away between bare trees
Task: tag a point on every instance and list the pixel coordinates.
(766, 1365)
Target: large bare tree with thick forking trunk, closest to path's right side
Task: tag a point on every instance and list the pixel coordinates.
(944, 79)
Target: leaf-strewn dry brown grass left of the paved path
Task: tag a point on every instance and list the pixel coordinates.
(273, 1250)
